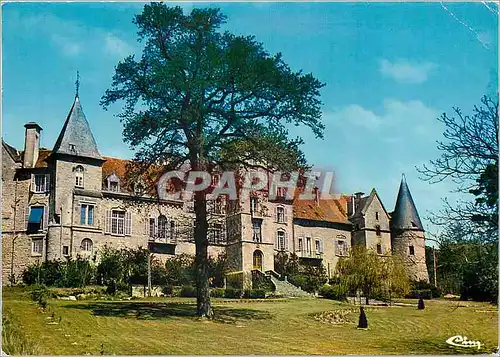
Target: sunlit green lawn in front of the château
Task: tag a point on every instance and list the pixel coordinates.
(168, 326)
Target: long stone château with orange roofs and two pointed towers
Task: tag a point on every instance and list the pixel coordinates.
(71, 201)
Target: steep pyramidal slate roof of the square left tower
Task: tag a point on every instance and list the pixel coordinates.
(76, 134)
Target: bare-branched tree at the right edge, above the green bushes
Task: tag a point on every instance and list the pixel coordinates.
(469, 157)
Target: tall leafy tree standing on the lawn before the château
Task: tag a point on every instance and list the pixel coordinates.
(205, 96)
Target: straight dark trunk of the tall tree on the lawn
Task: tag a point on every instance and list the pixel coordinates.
(203, 304)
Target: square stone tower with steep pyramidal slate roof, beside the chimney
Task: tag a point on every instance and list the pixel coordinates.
(77, 181)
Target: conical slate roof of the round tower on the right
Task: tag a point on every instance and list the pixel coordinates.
(405, 215)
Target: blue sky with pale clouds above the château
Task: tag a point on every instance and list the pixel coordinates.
(390, 70)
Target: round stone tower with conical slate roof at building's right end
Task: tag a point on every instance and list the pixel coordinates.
(407, 234)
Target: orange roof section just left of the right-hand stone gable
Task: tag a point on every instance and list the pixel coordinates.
(329, 210)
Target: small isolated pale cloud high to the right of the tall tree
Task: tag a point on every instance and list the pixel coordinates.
(404, 71)
